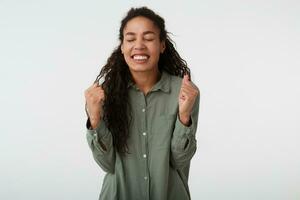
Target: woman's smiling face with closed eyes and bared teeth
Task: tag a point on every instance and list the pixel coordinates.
(141, 45)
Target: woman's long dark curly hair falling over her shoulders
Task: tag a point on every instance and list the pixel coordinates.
(116, 106)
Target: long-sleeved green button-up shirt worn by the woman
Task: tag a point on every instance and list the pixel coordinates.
(160, 147)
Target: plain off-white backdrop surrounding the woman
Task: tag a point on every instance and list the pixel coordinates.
(244, 57)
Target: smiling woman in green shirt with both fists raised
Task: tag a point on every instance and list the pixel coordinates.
(142, 119)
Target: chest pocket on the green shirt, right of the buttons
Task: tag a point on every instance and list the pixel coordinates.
(162, 130)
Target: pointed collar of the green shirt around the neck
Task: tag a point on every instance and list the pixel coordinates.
(163, 84)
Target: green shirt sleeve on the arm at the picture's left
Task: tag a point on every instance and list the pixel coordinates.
(104, 155)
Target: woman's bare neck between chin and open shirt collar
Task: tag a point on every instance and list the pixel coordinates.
(146, 80)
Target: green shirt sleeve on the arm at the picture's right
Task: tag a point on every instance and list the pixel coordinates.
(183, 142)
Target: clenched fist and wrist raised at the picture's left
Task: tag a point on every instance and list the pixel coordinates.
(94, 97)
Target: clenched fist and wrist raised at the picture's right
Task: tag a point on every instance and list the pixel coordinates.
(187, 97)
